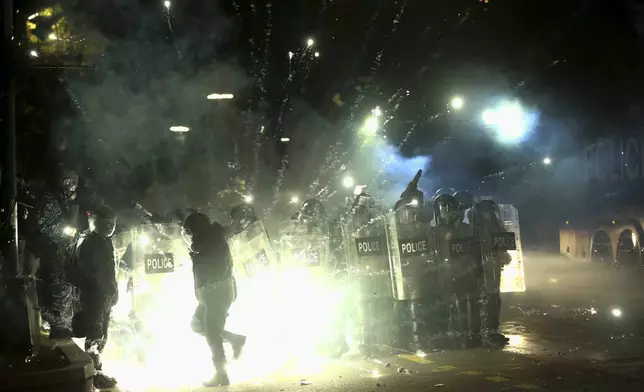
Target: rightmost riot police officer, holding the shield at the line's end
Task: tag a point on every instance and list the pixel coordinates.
(487, 223)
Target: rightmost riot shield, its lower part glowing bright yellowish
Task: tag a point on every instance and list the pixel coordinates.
(513, 275)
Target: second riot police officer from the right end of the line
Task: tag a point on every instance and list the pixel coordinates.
(456, 245)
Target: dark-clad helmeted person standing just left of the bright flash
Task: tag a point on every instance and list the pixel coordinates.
(93, 271)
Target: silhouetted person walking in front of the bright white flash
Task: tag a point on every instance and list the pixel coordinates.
(215, 289)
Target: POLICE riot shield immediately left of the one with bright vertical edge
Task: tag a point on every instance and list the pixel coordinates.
(367, 257)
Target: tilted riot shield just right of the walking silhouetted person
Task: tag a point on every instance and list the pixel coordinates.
(252, 252)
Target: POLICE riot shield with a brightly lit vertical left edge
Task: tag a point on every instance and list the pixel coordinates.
(414, 270)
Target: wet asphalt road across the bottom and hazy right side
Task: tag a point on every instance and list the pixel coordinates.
(578, 328)
